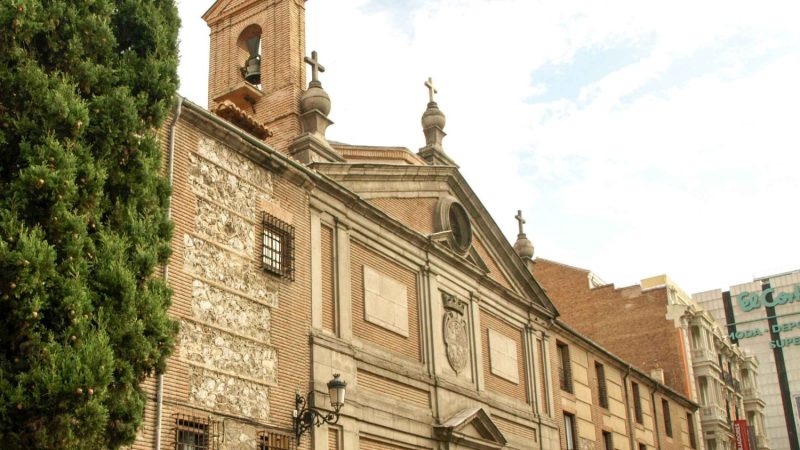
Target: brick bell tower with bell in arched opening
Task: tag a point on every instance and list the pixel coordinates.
(256, 63)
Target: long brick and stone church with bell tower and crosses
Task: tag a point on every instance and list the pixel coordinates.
(299, 263)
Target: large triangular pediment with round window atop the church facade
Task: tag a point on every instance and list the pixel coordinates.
(414, 194)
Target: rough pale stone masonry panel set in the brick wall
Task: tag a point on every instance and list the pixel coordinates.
(226, 341)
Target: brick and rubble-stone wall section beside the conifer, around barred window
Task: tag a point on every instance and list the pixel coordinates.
(235, 318)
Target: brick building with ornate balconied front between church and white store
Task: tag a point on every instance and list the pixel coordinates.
(659, 328)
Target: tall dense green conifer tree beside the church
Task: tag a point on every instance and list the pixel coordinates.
(84, 88)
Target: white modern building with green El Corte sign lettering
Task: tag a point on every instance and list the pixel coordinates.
(763, 316)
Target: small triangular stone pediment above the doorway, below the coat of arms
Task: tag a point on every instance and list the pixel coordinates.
(471, 427)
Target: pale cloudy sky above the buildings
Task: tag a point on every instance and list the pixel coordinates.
(637, 137)
